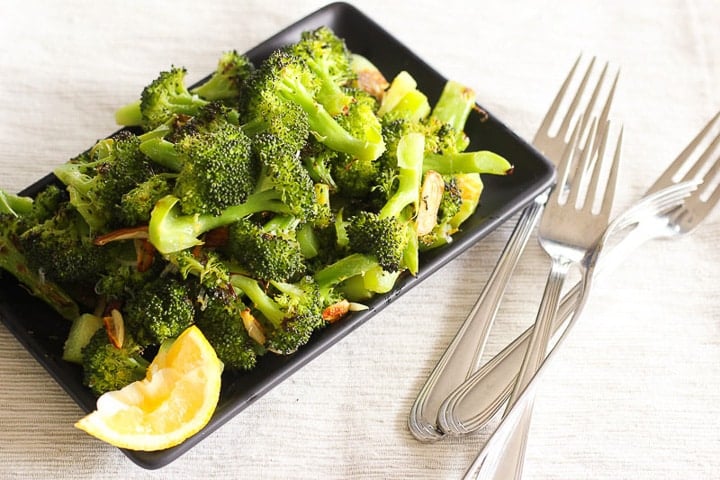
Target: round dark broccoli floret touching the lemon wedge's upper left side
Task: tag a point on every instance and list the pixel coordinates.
(107, 368)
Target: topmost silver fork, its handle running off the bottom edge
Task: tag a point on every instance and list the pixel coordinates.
(570, 231)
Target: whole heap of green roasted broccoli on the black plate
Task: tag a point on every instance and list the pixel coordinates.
(258, 205)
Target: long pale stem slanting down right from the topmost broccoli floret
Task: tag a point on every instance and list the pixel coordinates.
(329, 131)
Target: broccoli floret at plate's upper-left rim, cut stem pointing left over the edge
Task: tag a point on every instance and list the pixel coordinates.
(163, 98)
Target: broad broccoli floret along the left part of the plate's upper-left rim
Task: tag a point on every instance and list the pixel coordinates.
(97, 179)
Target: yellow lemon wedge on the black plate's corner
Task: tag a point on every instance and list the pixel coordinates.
(174, 401)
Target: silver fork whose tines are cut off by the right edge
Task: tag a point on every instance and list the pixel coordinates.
(473, 404)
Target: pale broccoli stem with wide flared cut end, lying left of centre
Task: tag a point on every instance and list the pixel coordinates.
(169, 231)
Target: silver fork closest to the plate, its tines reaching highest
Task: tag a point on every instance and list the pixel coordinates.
(463, 354)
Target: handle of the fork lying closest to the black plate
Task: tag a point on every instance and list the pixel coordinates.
(465, 351)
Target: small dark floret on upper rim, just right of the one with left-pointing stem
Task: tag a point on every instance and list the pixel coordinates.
(226, 82)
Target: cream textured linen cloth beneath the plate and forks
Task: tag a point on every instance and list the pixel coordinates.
(636, 391)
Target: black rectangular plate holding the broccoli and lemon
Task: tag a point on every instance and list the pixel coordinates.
(43, 332)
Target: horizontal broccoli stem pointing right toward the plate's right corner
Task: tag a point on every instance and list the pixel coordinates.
(482, 161)
